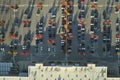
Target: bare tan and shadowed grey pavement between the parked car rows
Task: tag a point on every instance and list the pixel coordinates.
(43, 55)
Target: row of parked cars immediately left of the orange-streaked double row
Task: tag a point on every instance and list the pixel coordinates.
(52, 29)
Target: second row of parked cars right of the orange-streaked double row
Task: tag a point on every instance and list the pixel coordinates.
(94, 28)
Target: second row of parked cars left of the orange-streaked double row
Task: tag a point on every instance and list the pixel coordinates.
(39, 35)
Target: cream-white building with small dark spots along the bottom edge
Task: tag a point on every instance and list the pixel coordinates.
(40, 72)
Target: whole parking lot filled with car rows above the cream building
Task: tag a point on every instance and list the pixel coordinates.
(32, 32)
